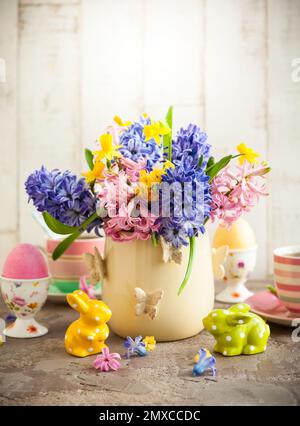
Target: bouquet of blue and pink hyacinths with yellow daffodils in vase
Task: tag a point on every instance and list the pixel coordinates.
(144, 182)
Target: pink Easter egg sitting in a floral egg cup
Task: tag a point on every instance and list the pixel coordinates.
(25, 261)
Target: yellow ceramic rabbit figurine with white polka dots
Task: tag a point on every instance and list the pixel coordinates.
(86, 336)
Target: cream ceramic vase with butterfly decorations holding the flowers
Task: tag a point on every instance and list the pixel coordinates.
(141, 290)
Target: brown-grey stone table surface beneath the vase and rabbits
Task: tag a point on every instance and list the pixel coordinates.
(40, 372)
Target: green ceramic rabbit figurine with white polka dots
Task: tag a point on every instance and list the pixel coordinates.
(237, 331)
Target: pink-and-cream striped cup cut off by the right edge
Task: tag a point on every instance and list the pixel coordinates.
(287, 276)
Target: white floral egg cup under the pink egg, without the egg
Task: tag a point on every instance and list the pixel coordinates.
(25, 298)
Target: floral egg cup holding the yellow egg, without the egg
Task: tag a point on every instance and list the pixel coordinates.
(238, 267)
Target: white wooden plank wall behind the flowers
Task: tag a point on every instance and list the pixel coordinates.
(71, 65)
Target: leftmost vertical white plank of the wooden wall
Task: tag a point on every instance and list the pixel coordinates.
(9, 143)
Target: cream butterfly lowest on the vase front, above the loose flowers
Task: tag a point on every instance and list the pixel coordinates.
(147, 303)
